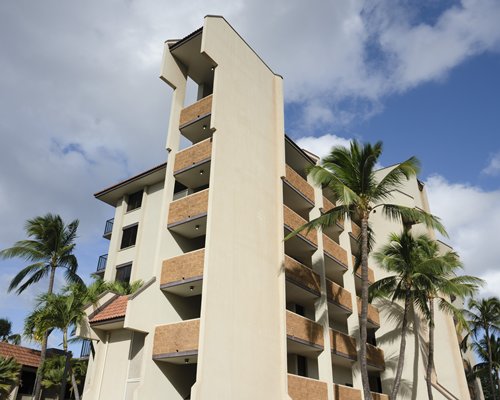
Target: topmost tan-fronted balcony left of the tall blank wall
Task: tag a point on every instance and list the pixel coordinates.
(194, 122)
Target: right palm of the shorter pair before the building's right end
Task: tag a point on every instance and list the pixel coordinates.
(438, 282)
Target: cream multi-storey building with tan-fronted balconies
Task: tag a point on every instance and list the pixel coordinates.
(229, 310)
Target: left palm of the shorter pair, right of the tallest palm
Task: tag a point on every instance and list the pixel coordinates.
(400, 257)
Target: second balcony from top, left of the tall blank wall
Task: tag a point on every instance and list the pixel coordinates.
(192, 165)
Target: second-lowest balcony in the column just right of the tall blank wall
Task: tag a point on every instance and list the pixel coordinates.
(305, 337)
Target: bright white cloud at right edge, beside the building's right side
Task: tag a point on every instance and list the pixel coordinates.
(471, 217)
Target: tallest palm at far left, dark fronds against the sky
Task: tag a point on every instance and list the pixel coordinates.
(50, 247)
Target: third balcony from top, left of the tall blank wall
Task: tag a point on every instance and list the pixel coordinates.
(188, 215)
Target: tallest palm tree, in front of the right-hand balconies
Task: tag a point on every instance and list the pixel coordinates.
(350, 174)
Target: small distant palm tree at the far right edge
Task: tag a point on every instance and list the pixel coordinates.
(483, 317)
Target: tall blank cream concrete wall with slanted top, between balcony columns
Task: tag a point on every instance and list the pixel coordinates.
(242, 352)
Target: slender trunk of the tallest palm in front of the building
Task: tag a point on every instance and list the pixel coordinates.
(364, 309)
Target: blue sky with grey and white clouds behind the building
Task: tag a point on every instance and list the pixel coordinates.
(81, 105)
